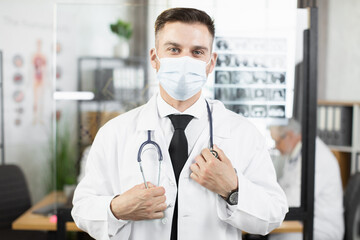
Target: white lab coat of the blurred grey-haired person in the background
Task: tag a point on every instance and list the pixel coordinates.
(328, 194)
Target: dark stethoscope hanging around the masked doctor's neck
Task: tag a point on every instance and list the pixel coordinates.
(149, 141)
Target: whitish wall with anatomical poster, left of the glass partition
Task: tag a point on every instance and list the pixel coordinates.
(27, 119)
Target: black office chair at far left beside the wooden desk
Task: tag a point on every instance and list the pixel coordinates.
(14, 200)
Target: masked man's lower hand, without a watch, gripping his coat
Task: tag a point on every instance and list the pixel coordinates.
(139, 203)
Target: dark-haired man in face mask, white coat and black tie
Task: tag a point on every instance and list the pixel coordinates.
(195, 193)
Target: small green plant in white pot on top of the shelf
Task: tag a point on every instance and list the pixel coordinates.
(124, 31)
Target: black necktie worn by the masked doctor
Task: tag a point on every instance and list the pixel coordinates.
(178, 150)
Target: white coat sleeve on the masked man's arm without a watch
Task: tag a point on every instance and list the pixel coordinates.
(91, 203)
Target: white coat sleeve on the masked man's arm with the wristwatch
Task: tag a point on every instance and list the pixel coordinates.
(262, 204)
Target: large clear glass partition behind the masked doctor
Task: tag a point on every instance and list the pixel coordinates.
(102, 72)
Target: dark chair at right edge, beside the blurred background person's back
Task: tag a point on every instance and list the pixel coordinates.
(352, 208)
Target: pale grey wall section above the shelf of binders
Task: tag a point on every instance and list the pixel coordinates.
(339, 54)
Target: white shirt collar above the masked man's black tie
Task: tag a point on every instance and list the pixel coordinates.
(196, 110)
